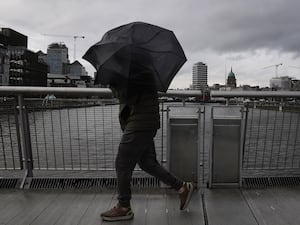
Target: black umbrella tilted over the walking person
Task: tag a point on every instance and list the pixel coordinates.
(137, 53)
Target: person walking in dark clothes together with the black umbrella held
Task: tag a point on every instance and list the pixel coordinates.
(136, 60)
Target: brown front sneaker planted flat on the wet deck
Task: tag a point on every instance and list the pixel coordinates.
(117, 213)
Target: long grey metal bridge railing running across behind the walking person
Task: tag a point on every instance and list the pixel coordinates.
(79, 131)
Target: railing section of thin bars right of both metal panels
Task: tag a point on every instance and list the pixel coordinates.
(272, 142)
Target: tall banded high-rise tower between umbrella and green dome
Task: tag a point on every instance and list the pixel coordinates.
(199, 76)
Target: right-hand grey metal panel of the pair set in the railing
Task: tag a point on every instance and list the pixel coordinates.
(226, 147)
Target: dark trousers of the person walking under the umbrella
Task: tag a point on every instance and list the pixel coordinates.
(138, 148)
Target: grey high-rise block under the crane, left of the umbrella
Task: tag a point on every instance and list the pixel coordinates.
(57, 58)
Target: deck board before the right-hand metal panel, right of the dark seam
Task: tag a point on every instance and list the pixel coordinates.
(228, 206)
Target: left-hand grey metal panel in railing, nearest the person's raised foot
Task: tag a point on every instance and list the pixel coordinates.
(182, 151)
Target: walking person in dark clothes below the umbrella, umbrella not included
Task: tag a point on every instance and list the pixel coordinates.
(139, 119)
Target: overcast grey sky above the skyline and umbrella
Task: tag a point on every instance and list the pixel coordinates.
(242, 34)
